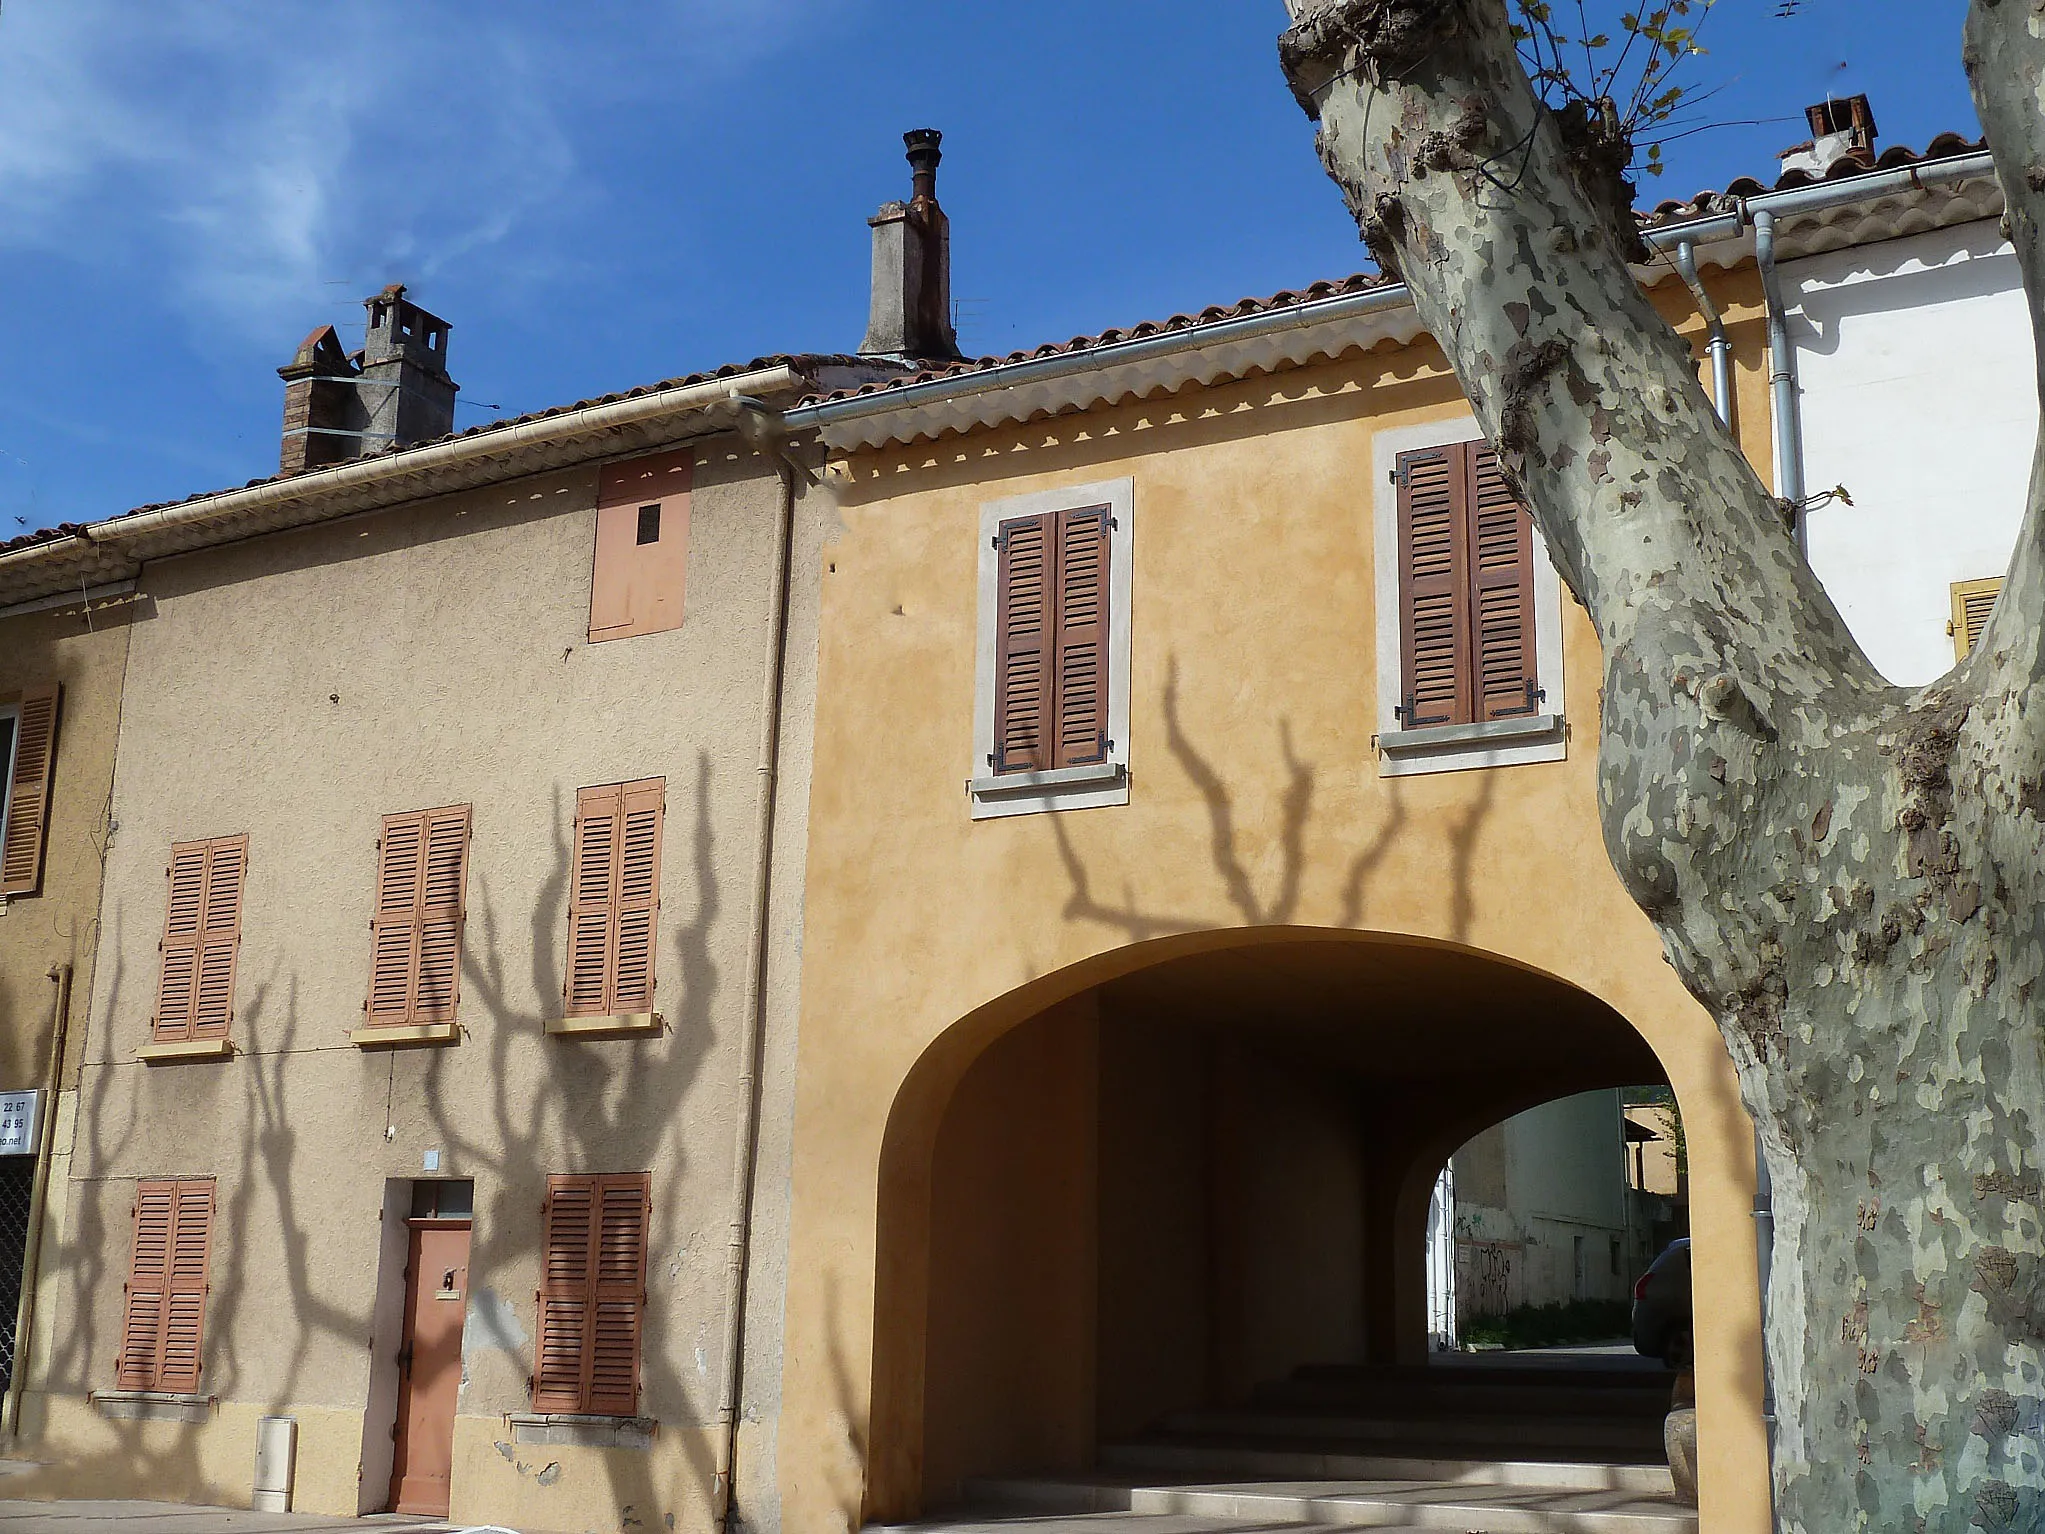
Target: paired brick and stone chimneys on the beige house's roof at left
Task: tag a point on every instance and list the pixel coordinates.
(396, 392)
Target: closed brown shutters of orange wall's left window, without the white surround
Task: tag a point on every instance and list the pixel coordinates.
(1052, 641)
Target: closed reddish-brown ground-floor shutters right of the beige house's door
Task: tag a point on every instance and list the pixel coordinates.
(592, 1294)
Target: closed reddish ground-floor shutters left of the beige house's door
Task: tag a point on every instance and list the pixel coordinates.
(167, 1292)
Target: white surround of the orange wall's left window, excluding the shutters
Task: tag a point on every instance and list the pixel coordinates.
(1060, 788)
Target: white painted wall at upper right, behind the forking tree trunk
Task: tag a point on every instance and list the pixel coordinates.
(1919, 396)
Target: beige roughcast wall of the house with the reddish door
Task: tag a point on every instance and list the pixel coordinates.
(298, 688)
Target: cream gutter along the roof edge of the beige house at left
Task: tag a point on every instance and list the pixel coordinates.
(408, 465)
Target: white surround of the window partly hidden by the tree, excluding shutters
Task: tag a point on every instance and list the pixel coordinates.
(1457, 748)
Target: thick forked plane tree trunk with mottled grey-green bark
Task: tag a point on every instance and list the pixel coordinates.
(1848, 874)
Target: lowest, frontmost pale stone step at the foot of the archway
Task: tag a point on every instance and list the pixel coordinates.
(1408, 1504)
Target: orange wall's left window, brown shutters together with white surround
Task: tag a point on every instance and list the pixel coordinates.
(1052, 713)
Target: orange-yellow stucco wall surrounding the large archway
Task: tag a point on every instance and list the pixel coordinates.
(1253, 672)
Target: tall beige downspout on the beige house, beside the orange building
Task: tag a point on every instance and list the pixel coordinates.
(768, 433)
